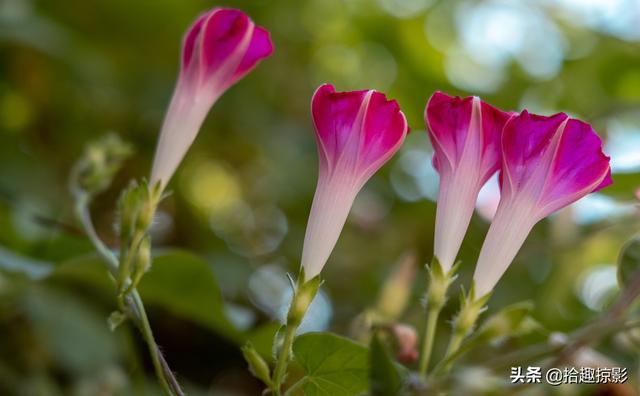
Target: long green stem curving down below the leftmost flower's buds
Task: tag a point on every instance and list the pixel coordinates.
(167, 380)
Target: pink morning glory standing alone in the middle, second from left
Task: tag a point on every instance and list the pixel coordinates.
(357, 132)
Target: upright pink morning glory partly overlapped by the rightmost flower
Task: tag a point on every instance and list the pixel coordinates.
(465, 135)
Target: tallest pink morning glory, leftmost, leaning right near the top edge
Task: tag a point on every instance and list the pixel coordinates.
(220, 48)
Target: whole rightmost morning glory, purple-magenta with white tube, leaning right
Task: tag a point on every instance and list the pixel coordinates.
(547, 164)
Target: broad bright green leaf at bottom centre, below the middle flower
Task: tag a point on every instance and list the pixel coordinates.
(333, 365)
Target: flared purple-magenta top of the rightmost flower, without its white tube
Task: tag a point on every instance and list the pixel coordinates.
(553, 161)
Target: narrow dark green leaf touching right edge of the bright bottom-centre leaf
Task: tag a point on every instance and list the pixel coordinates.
(386, 376)
